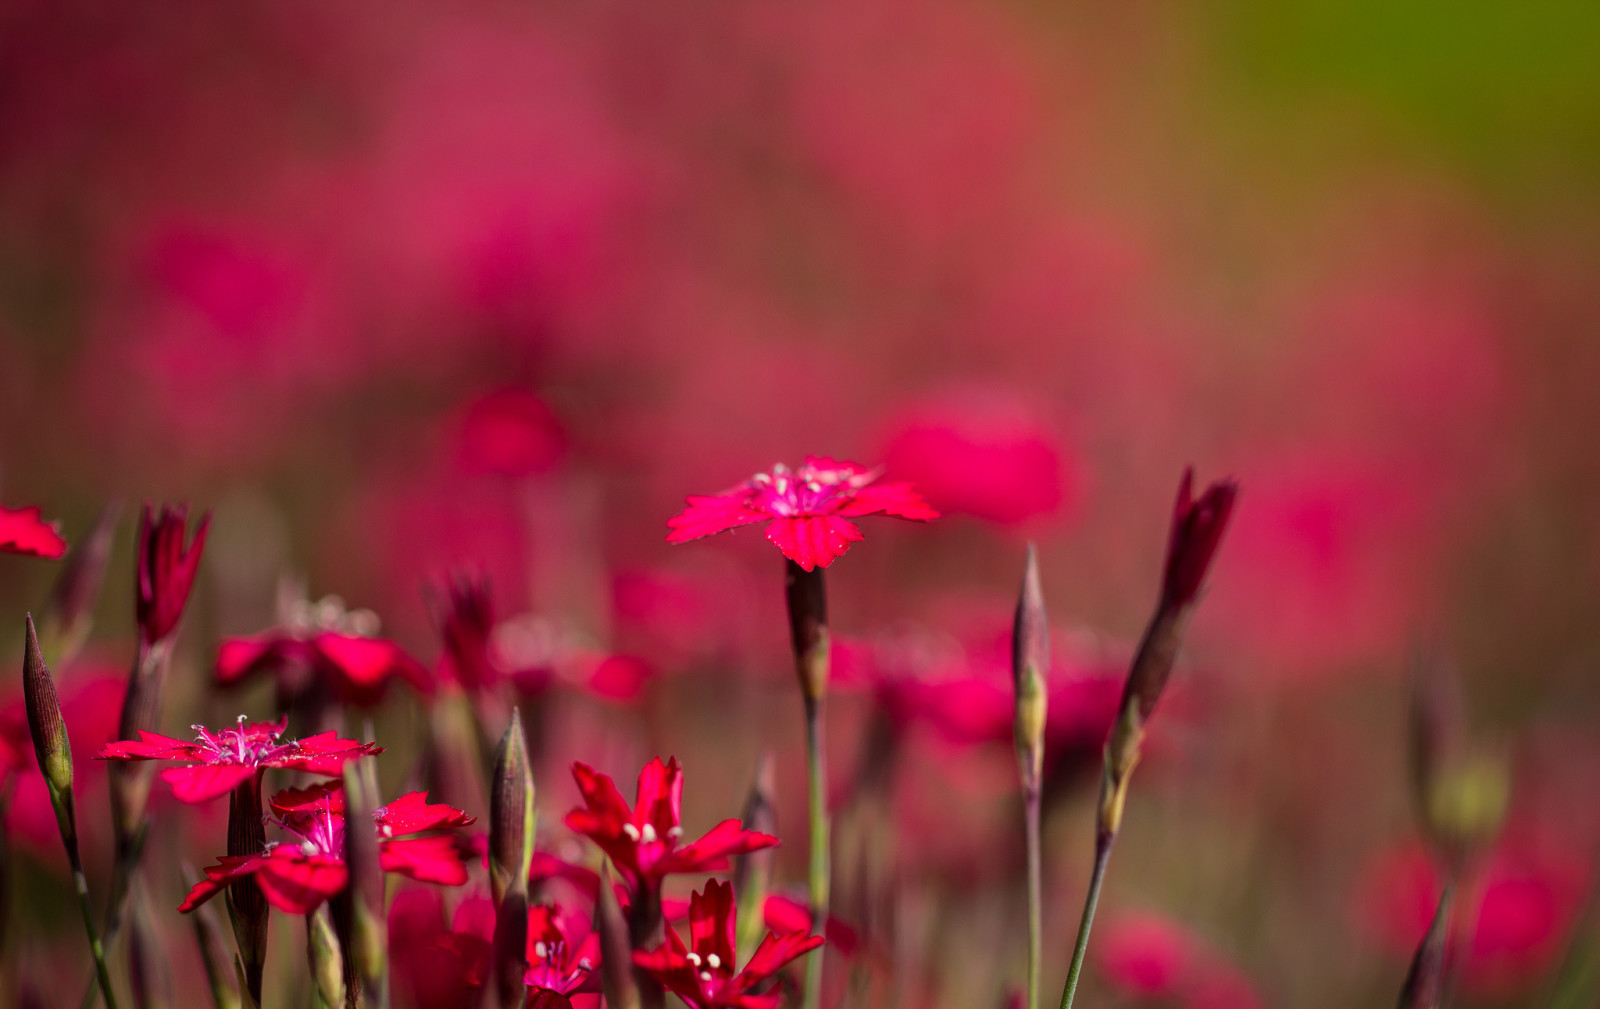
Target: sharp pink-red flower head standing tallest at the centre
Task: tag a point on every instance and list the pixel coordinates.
(810, 509)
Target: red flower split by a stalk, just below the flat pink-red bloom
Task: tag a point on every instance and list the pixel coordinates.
(297, 877)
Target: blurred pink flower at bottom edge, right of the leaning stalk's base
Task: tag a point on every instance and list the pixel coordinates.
(1151, 957)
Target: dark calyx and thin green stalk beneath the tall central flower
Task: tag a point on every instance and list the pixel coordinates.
(807, 597)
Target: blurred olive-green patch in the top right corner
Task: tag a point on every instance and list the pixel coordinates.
(1506, 86)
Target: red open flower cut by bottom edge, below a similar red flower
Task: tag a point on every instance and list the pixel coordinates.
(703, 975)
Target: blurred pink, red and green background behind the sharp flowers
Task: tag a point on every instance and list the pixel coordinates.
(402, 290)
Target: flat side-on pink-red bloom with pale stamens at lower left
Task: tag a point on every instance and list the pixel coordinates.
(228, 759)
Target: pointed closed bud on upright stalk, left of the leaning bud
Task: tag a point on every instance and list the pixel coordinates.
(1030, 664)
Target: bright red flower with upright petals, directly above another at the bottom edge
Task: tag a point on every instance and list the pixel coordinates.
(644, 842)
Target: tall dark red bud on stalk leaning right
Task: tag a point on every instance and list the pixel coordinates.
(1193, 543)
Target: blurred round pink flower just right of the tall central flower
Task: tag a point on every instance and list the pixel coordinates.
(982, 455)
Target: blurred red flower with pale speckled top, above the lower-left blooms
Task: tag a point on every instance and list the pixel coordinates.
(337, 647)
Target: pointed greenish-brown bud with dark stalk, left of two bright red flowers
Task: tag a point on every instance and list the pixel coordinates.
(511, 856)
